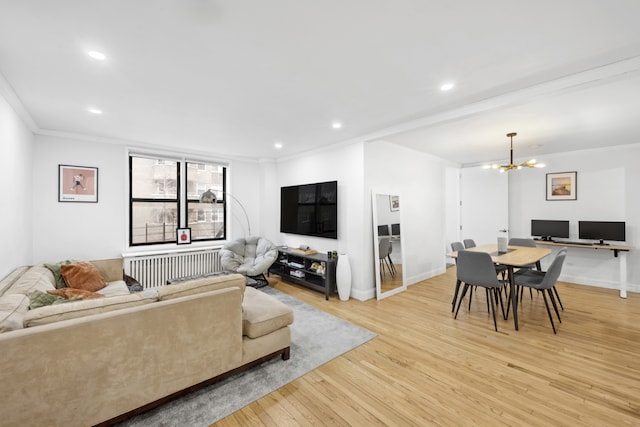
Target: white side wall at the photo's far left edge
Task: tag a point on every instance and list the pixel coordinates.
(16, 187)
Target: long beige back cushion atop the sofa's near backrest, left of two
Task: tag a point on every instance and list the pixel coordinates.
(75, 309)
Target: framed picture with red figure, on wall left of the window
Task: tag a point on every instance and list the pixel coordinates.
(77, 184)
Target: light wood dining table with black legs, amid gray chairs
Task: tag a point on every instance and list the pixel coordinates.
(516, 256)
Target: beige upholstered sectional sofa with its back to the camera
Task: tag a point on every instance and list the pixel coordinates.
(98, 361)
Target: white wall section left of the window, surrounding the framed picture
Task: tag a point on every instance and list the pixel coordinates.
(79, 230)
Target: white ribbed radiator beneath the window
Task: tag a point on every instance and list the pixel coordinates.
(153, 271)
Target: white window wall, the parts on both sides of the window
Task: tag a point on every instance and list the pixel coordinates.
(99, 230)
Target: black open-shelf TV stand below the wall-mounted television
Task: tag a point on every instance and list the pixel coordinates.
(316, 271)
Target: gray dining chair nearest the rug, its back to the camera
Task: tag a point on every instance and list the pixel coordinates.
(477, 269)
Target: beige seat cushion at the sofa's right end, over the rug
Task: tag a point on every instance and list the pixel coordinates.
(263, 314)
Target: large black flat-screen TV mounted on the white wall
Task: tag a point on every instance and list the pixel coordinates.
(310, 209)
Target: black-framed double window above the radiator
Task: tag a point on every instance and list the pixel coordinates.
(158, 205)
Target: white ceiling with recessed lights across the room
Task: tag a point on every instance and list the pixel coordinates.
(235, 76)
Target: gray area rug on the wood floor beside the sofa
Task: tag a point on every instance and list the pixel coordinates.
(316, 338)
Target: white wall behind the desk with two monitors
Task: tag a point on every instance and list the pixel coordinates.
(607, 190)
